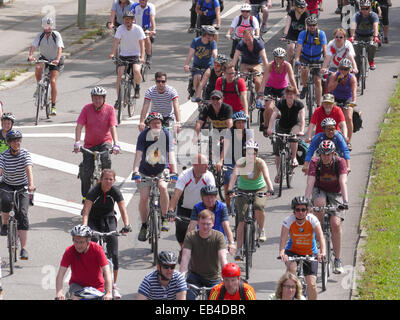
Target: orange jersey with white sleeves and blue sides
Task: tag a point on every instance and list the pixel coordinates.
(302, 237)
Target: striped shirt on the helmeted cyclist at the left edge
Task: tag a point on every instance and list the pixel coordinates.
(13, 167)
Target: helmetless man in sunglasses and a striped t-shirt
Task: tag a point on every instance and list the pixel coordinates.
(164, 100)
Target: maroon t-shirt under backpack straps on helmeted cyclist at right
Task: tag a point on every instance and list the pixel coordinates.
(328, 181)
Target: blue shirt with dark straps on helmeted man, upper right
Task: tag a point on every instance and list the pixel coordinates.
(312, 45)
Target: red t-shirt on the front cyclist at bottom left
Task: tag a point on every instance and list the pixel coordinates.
(86, 268)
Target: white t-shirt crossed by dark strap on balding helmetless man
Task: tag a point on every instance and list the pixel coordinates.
(187, 183)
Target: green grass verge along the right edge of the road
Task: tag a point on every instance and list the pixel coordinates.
(381, 219)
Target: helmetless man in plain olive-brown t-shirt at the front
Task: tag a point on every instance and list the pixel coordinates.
(203, 254)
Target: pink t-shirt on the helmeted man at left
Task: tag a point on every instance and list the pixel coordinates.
(97, 124)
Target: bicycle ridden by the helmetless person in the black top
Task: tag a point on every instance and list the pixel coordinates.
(285, 169)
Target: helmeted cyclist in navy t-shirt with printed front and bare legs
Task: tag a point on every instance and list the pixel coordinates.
(154, 157)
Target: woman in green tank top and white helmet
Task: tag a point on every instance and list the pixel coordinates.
(253, 176)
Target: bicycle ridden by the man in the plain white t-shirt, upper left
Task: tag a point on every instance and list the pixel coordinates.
(125, 97)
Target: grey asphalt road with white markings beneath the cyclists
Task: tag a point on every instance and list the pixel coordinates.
(57, 201)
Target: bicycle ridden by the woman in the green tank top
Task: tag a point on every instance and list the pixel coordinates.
(250, 240)
